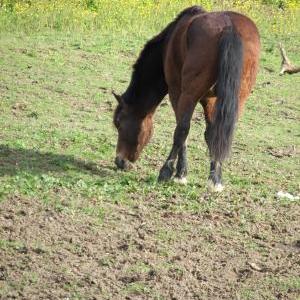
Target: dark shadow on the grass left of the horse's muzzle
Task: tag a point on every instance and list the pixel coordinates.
(15, 160)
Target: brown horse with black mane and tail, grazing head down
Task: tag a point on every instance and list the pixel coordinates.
(211, 58)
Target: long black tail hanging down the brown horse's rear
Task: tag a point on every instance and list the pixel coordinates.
(230, 62)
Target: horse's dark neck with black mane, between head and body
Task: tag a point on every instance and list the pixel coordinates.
(148, 86)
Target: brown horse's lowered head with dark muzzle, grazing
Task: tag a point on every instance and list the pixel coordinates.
(134, 132)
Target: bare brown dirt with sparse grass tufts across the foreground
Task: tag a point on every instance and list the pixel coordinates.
(146, 253)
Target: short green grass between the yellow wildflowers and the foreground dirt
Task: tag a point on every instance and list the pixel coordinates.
(58, 137)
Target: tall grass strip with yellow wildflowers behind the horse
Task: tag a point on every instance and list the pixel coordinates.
(272, 16)
